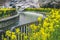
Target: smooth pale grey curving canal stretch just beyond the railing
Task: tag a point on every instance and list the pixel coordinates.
(28, 17)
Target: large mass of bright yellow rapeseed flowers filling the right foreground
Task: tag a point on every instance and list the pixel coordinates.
(45, 30)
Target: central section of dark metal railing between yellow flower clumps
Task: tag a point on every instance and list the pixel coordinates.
(24, 29)
